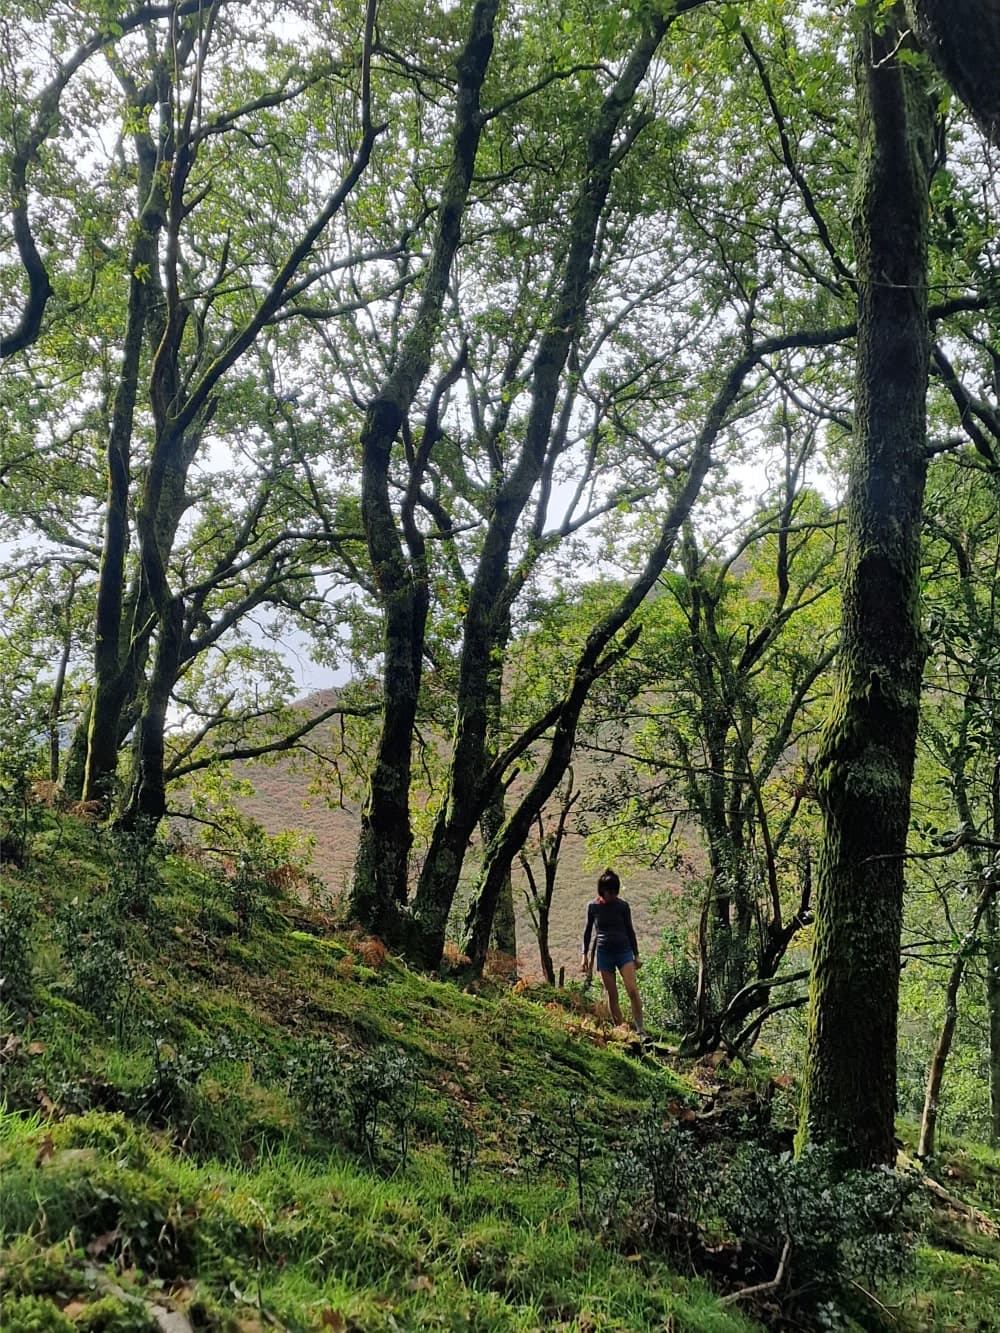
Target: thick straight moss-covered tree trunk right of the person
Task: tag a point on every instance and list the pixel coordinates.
(866, 762)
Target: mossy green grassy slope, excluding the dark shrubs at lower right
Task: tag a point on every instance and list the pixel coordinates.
(187, 1152)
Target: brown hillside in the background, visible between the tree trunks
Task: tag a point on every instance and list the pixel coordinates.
(283, 802)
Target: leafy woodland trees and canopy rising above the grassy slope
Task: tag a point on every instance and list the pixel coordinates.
(566, 382)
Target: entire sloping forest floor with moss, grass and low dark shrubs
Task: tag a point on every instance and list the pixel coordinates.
(225, 1111)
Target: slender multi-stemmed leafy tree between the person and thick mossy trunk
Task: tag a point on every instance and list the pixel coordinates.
(718, 710)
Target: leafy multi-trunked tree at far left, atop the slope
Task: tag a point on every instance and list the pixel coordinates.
(190, 305)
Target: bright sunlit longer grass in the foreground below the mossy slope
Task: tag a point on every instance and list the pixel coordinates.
(305, 1238)
